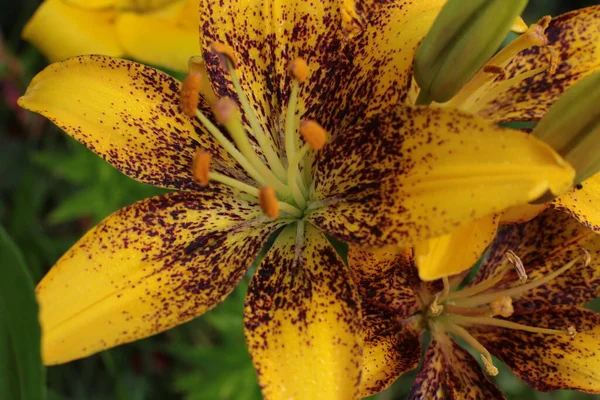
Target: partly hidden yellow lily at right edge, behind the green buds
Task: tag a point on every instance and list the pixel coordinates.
(521, 83)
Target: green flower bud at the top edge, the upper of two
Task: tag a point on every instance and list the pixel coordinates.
(465, 35)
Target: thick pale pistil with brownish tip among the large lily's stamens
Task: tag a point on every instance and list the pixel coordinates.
(227, 113)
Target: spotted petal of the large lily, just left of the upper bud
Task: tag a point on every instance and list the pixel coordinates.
(375, 70)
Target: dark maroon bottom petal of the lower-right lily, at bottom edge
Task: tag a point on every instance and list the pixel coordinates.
(450, 372)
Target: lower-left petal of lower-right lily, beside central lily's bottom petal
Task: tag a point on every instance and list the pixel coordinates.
(391, 348)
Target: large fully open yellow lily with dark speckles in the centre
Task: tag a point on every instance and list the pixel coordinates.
(388, 175)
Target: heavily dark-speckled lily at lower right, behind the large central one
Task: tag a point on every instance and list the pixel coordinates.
(527, 312)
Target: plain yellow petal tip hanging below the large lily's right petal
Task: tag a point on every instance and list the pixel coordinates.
(456, 251)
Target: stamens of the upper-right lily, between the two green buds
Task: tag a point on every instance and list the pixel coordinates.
(484, 87)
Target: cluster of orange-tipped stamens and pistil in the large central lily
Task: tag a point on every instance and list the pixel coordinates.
(279, 185)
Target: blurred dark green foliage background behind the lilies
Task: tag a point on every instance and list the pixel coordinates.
(52, 190)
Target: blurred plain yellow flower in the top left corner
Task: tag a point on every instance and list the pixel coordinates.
(158, 32)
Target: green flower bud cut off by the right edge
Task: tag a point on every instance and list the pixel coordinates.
(572, 127)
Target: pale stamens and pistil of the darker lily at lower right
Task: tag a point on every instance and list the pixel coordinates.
(482, 304)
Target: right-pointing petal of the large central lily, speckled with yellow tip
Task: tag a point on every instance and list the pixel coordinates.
(419, 173)
